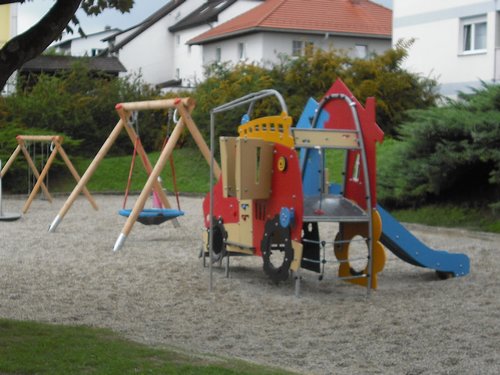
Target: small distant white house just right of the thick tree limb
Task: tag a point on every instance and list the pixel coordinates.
(89, 45)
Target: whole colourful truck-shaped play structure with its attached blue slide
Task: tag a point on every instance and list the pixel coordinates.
(274, 193)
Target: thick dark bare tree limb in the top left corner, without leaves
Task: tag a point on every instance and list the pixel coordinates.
(34, 41)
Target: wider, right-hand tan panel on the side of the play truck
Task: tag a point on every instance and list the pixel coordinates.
(254, 158)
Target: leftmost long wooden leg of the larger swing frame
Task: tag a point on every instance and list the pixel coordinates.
(86, 176)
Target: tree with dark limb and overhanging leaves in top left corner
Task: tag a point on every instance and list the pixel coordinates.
(34, 41)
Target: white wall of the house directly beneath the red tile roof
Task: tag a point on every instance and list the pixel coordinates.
(267, 47)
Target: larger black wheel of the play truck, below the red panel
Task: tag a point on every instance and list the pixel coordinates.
(277, 250)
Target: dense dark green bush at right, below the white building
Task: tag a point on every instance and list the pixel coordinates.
(450, 152)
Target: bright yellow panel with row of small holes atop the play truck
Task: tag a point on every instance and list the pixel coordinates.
(274, 129)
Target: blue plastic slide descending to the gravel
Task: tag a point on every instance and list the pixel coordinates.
(407, 247)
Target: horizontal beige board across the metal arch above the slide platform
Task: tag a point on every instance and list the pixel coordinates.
(325, 138)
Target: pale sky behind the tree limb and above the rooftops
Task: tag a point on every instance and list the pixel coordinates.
(30, 12)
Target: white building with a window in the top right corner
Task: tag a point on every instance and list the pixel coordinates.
(456, 41)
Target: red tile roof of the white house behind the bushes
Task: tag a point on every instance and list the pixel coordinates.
(359, 17)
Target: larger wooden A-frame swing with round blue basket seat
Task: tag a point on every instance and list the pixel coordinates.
(184, 107)
